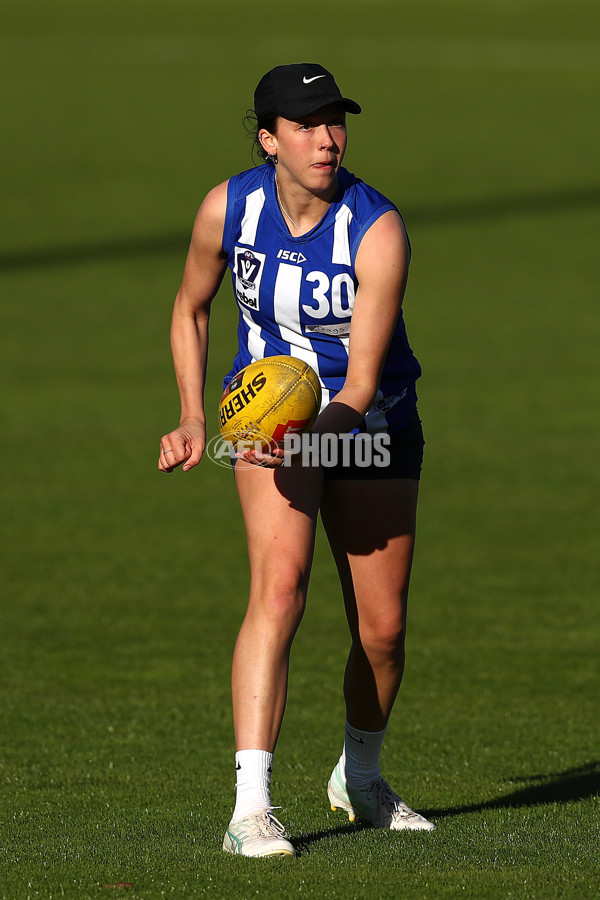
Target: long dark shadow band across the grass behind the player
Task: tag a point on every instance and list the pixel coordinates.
(549, 201)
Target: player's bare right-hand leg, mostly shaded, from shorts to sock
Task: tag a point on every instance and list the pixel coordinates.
(371, 529)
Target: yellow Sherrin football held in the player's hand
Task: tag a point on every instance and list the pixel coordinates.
(268, 399)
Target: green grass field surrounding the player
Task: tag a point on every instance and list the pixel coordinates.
(123, 590)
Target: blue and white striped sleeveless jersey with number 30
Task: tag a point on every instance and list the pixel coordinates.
(295, 294)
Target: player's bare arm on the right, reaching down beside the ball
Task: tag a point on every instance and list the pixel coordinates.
(382, 271)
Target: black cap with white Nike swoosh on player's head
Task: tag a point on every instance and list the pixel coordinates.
(298, 90)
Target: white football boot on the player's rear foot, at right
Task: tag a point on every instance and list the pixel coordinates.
(377, 803)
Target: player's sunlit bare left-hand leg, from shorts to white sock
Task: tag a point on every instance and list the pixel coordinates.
(280, 509)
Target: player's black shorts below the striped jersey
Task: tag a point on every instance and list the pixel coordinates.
(398, 455)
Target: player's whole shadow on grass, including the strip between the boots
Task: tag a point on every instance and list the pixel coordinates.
(556, 787)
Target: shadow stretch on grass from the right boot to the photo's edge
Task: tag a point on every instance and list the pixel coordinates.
(556, 787)
